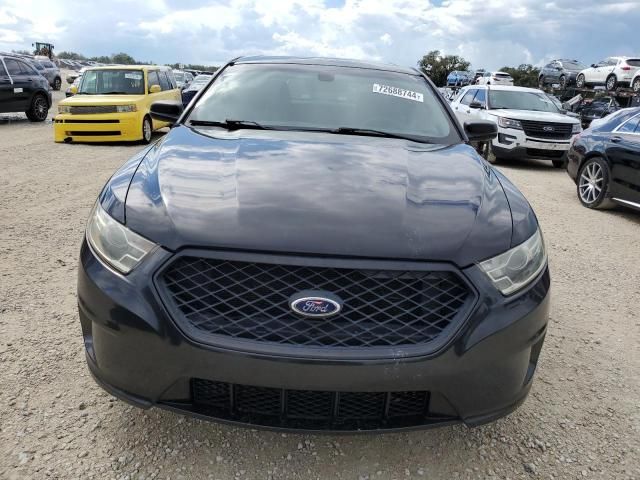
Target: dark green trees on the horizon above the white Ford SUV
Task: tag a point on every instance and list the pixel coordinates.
(437, 66)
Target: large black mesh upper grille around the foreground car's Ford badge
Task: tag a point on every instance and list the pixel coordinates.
(250, 301)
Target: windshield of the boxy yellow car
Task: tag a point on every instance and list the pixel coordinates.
(105, 82)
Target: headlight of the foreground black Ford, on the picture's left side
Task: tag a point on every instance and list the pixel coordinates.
(114, 243)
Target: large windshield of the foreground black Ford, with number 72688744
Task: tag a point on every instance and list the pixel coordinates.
(327, 98)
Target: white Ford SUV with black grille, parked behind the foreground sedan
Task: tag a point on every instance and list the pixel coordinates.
(530, 125)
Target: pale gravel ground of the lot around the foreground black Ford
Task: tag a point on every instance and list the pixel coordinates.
(582, 418)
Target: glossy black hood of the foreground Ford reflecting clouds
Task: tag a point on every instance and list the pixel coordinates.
(321, 194)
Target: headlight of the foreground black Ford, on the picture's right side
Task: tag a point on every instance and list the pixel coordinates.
(516, 268)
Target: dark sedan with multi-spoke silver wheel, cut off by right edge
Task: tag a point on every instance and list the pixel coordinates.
(604, 161)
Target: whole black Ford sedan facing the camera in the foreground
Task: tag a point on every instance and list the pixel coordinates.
(315, 245)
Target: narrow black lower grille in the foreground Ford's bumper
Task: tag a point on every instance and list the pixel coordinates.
(309, 408)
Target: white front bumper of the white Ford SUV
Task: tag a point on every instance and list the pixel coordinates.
(515, 144)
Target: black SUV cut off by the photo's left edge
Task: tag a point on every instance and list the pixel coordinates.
(23, 89)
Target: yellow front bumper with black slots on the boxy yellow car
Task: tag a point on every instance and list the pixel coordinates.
(114, 127)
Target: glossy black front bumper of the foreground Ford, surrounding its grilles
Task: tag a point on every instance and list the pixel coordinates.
(137, 352)
